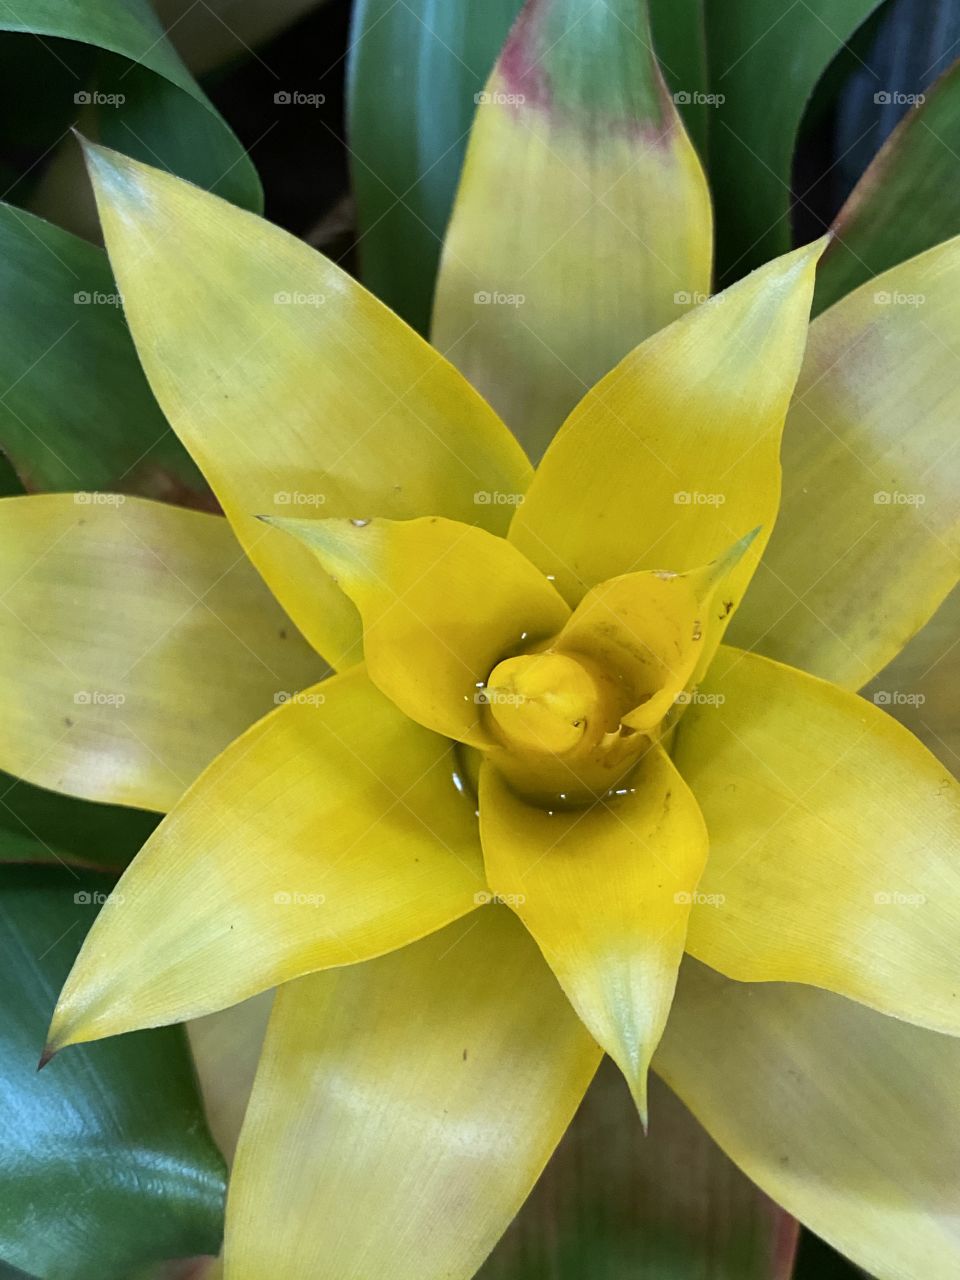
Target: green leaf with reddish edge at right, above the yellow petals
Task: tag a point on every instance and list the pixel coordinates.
(907, 202)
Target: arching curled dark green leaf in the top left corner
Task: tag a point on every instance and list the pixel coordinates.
(163, 115)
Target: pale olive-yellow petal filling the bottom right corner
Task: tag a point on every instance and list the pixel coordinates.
(848, 1119)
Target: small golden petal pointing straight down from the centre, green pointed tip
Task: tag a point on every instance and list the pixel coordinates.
(606, 892)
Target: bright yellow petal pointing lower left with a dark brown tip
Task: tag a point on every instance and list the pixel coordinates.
(330, 833)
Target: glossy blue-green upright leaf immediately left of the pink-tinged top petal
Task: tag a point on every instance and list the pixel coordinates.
(415, 68)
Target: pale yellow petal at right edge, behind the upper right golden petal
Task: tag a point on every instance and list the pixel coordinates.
(868, 540)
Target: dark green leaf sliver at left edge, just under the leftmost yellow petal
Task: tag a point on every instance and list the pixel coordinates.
(39, 826)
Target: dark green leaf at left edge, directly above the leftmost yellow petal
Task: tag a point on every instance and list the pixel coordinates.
(77, 413)
